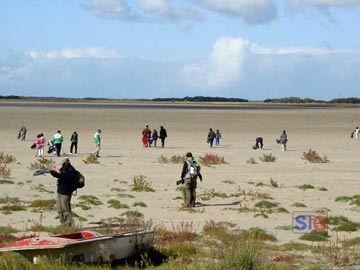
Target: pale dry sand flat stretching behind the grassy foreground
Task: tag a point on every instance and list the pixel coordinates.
(122, 157)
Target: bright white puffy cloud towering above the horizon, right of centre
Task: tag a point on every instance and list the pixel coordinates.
(223, 67)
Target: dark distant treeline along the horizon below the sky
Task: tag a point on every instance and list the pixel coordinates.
(294, 100)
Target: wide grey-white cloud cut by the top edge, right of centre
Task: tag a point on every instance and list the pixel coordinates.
(251, 11)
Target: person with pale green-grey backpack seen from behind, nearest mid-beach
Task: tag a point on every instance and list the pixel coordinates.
(189, 175)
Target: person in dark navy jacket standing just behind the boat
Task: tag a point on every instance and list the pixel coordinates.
(66, 176)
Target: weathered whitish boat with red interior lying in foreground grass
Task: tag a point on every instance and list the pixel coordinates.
(83, 246)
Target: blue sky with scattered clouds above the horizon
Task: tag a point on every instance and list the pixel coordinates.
(253, 49)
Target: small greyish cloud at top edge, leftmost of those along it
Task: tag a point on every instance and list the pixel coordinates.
(111, 9)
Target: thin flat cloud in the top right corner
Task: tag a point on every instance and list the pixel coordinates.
(296, 5)
